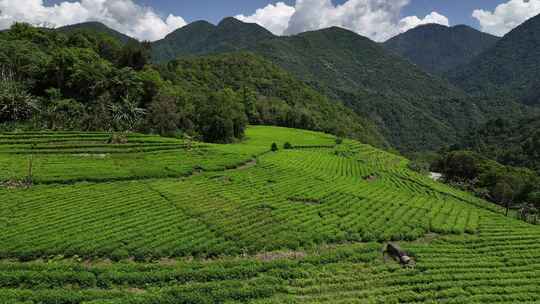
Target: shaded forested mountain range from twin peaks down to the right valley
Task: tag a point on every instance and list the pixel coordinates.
(412, 110)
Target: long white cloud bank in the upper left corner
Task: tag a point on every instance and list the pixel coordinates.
(124, 16)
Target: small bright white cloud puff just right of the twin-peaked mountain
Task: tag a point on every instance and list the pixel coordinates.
(275, 18)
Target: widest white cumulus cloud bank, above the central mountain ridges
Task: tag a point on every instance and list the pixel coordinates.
(376, 19)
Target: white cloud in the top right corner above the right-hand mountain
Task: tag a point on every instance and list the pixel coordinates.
(507, 16)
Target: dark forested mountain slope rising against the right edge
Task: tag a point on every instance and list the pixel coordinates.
(510, 68)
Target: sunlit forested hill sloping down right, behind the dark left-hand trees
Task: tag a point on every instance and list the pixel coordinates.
(270, 95)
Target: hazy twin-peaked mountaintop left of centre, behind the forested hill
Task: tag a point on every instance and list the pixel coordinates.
(201, 37)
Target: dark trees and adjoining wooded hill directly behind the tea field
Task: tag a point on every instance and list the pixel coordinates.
(78, 78)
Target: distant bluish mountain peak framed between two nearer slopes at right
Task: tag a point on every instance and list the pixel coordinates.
(438, 49)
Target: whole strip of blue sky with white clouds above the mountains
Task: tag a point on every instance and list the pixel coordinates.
(376, 19)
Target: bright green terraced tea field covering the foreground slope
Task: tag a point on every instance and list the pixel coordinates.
(159, 220)
